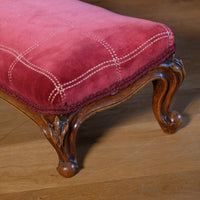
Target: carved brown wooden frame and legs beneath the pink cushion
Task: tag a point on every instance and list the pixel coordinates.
(61, 130)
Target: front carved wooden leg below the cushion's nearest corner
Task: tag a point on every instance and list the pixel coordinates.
(61, 132)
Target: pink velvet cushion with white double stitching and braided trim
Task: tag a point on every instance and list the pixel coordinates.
(57, 56)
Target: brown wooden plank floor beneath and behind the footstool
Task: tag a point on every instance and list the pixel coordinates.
(122, 152)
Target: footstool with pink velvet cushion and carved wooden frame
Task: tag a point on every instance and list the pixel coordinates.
(63, 61)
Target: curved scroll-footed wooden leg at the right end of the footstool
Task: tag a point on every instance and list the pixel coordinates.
(170, 78)
